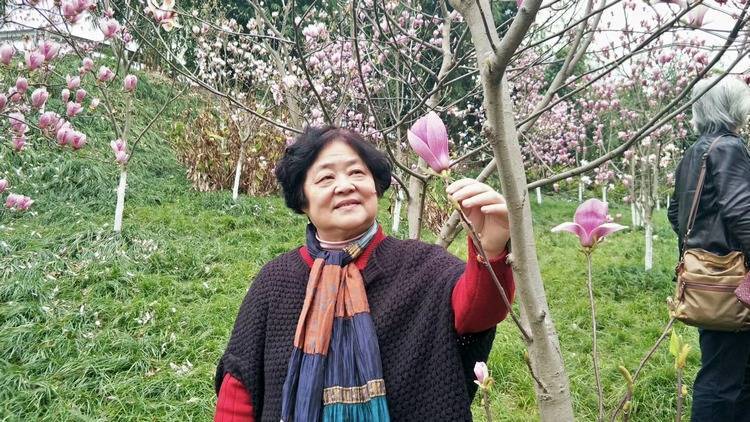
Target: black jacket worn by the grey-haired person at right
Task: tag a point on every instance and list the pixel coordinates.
(722, 224)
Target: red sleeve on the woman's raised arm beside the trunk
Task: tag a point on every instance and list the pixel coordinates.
(477, 305)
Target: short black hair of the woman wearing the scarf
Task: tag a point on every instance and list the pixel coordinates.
(299, 156)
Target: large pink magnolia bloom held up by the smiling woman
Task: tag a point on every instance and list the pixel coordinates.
(428, 137)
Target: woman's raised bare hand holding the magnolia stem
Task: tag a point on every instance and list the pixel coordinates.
(486, 210)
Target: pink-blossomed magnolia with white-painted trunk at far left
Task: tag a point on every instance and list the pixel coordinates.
(33, 75)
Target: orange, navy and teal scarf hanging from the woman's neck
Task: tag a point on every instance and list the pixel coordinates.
(335, 372)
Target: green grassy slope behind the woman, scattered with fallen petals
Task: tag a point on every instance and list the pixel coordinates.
(98, 327)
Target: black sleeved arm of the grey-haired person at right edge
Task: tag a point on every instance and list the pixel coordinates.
(730, 170)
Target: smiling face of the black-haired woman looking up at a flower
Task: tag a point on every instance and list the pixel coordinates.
(342, 201)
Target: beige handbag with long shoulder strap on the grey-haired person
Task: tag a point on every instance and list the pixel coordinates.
(704, 295)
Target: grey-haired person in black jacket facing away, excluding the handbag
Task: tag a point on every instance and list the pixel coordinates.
(722, 225)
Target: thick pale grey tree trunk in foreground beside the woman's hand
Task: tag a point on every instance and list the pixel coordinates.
(552, 386)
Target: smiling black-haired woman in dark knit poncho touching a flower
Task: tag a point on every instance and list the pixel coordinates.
(356, 325)
